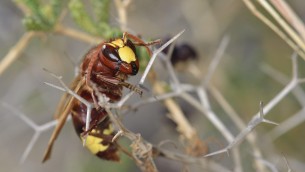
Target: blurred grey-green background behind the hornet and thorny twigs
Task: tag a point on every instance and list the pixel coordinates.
(239, 77)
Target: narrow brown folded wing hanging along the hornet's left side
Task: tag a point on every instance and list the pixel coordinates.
(62, 112)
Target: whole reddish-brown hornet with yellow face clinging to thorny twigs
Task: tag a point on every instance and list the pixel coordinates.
(104, 70)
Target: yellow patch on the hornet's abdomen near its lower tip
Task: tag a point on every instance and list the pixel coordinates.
(94, 144)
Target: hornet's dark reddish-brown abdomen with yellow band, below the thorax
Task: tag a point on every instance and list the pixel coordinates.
(99, 139)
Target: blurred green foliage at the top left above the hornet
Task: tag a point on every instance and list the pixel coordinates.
(42, 16)
